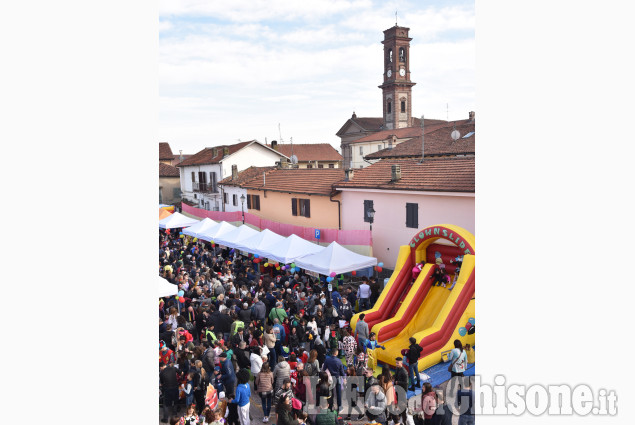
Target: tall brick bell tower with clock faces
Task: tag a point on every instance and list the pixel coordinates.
(397, 87)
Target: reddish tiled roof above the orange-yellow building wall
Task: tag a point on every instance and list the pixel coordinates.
(314, 181)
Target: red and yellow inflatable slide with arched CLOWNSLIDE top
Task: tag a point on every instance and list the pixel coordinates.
(434, 315)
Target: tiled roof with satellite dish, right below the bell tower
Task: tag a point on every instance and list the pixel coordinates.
(437, 142)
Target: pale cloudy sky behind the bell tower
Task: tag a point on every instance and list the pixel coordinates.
(297, 70)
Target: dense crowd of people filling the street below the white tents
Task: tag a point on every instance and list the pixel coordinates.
(244, 328)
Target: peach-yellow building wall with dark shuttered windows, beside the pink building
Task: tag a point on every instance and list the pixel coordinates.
(276, 206)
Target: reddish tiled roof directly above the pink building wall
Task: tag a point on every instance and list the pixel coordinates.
(454, 174)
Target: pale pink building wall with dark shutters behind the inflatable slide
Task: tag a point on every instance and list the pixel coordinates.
(389, 226)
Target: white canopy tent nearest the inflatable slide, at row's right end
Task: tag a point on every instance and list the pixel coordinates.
(335, 258)
